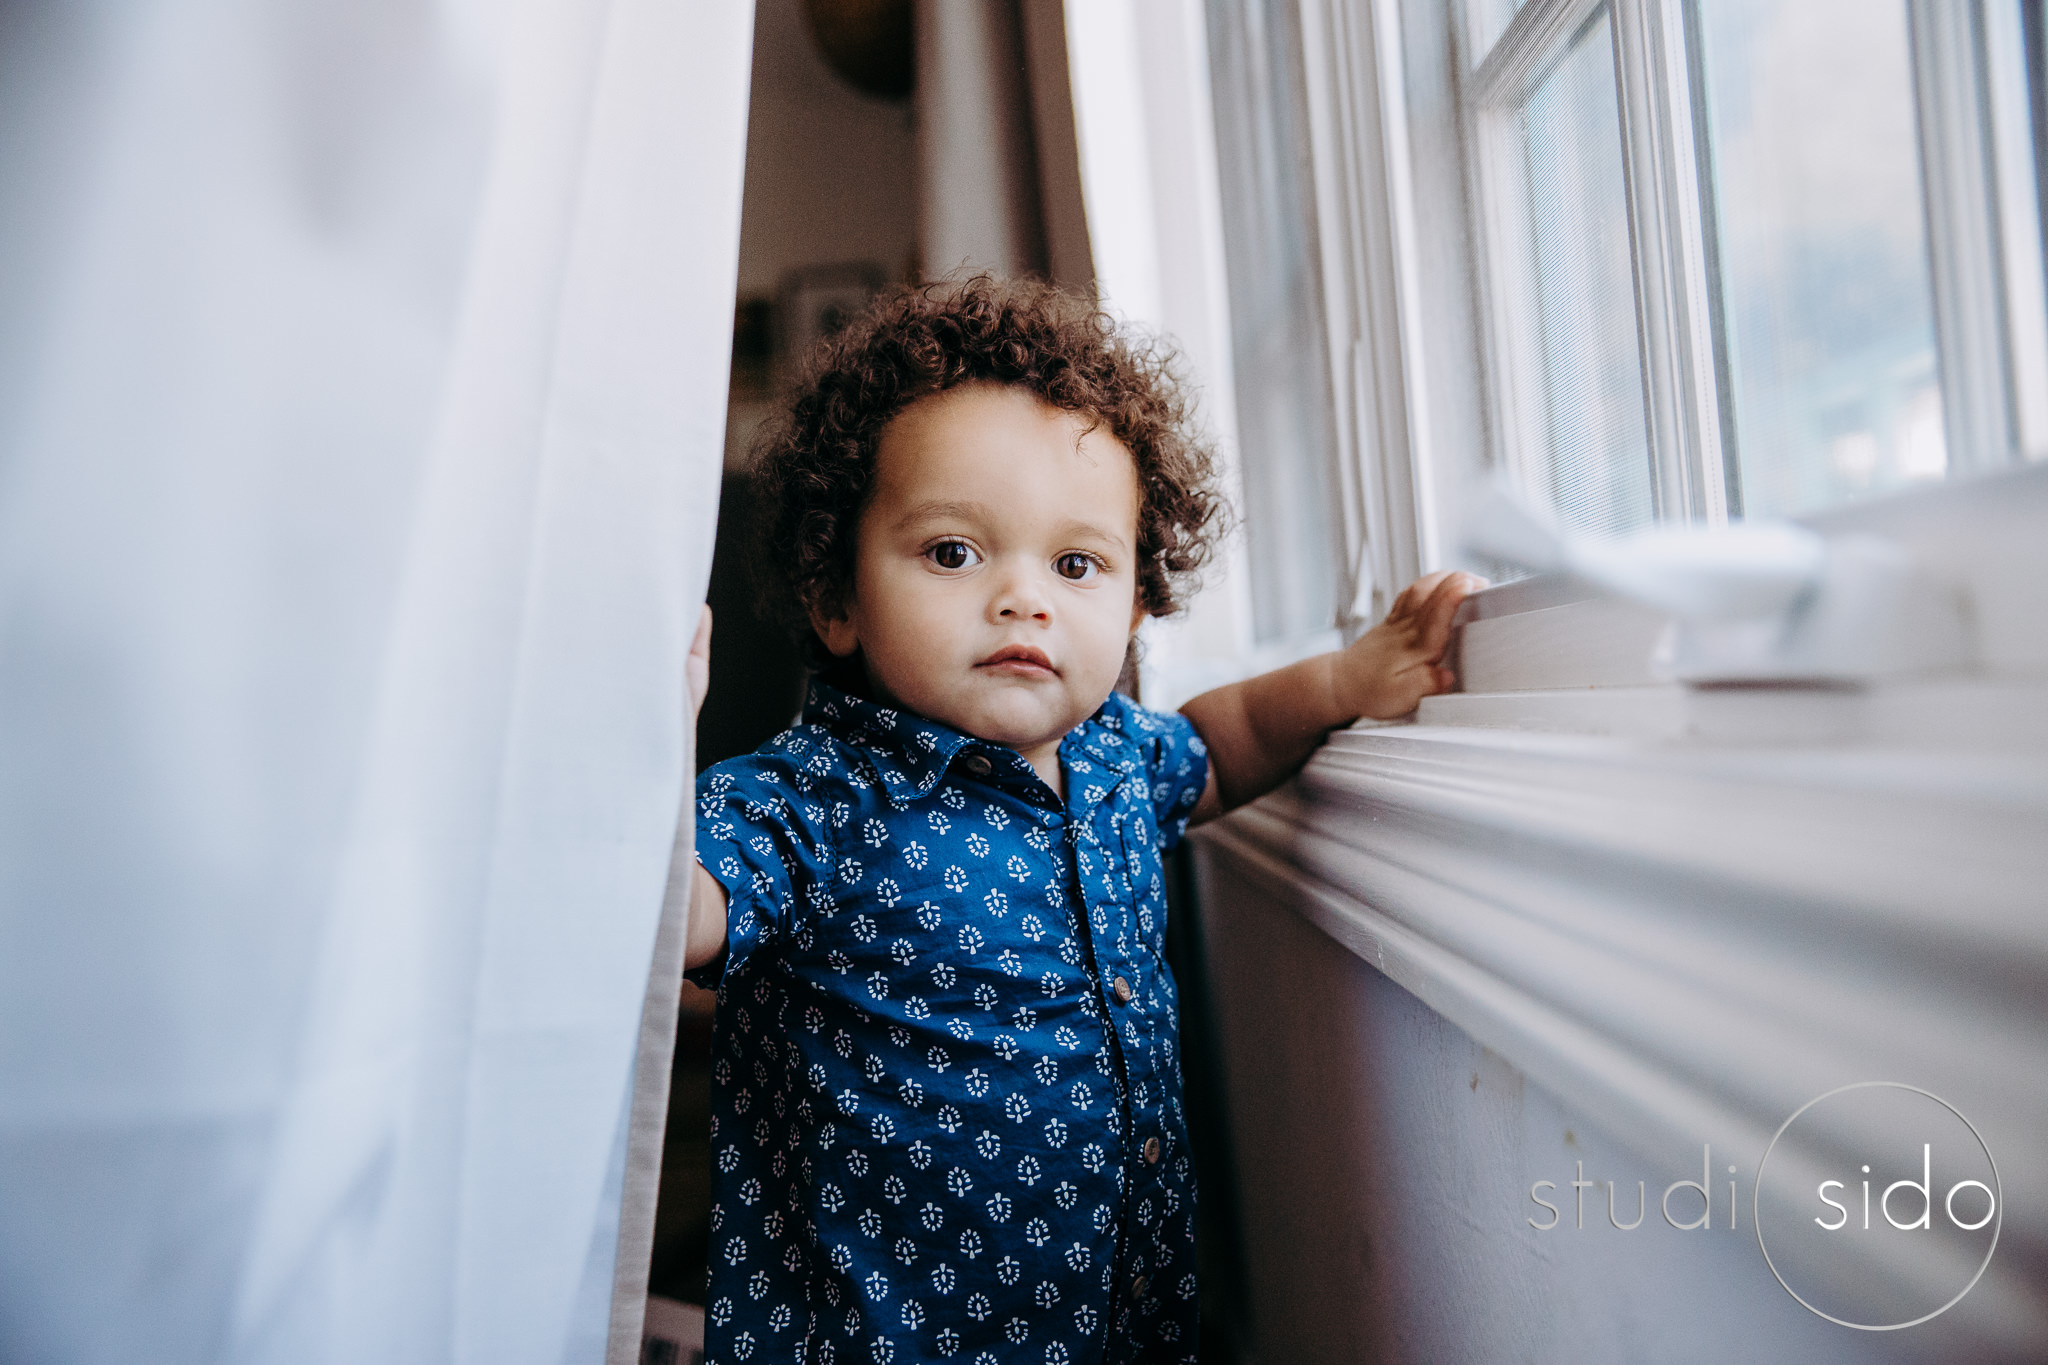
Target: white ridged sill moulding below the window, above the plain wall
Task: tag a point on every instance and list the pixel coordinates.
(1691, 940)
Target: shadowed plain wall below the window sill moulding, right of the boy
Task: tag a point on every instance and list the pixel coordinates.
(1383, 1168)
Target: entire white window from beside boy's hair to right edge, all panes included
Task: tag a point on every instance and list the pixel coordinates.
(1658, 261)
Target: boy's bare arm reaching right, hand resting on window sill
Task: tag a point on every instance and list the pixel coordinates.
(1261, 732)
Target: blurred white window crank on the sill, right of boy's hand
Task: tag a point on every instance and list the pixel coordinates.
(1764, 603)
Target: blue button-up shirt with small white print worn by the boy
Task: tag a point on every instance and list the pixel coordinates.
(947, 1108)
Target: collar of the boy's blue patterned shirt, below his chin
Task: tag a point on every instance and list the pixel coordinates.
(912, 754)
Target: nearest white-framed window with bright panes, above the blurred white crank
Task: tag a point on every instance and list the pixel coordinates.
(1715, 277)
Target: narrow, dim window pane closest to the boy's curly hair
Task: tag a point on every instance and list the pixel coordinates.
(1277, 318)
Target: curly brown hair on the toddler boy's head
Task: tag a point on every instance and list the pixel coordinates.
(816, 466)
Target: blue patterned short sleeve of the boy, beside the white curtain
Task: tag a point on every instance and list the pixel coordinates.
(761, 832)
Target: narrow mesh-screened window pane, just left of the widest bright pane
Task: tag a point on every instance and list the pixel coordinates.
(1580, 429)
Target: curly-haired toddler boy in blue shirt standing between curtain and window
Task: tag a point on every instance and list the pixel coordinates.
(947, 1108)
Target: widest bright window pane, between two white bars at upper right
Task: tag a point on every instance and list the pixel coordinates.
(1828, 314)
